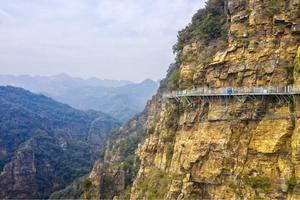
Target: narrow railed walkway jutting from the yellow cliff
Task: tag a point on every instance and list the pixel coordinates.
(235, 91)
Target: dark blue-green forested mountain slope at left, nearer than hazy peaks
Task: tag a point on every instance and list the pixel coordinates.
(45, 145)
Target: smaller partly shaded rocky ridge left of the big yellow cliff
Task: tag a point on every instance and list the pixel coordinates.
(113, 174)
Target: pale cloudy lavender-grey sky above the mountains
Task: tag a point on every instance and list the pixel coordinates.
(107, 39)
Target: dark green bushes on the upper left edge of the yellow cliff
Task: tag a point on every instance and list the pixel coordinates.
(209, 27)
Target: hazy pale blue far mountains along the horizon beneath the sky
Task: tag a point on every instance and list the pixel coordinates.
(120, 99)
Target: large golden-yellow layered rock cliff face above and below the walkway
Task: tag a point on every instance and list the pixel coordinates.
(243, 147)
